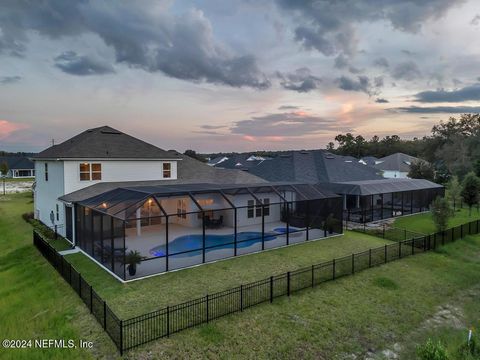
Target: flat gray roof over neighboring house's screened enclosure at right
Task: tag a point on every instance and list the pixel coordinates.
(384, 186)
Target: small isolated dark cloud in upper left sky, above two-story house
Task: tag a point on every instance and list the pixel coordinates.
(73, 64)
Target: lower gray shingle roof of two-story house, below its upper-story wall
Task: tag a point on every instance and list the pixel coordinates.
(189, 171)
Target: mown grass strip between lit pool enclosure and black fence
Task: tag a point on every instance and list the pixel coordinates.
(150, 294)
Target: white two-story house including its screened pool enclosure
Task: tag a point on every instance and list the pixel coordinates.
(110, 193)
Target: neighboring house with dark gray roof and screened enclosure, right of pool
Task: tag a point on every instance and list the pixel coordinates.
(367, 195)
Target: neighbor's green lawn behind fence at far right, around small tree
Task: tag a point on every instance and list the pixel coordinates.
(423, 222)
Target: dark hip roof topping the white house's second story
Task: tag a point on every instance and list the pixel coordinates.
(104, 143)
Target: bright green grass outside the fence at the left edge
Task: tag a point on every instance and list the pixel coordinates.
(35, 303)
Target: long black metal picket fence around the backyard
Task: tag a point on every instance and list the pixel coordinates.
(135, 331)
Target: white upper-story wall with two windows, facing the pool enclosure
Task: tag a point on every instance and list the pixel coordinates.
(117, 170)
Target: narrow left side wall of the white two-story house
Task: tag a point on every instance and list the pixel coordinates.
(47, 193)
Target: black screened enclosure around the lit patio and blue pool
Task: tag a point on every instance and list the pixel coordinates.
(145, 230)
